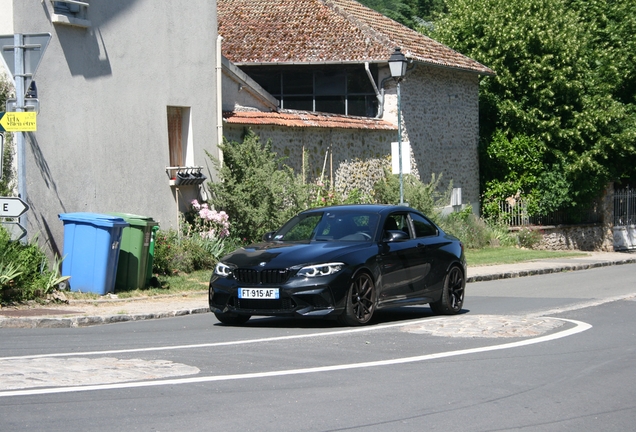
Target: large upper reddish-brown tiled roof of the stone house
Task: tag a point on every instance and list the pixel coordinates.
(323, 31)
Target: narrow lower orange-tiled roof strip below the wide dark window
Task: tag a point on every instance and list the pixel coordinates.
(291, 118)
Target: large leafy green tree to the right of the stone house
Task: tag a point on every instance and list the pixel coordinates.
(563, 68)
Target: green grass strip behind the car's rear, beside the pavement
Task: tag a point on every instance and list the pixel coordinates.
(511, 255)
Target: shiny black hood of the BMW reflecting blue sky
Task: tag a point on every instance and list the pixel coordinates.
(286, 255)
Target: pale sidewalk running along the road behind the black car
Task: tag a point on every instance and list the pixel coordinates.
(112, 310)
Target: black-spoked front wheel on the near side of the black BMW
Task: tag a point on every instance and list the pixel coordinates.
(360, 302)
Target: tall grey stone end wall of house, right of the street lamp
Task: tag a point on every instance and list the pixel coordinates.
(441, 121)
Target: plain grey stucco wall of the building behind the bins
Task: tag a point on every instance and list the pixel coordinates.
(102, 138)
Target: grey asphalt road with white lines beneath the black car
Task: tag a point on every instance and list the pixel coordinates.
(548, 353)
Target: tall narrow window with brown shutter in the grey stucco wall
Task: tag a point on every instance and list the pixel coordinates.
(179, 137)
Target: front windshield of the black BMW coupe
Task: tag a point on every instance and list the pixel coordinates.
(330, 226)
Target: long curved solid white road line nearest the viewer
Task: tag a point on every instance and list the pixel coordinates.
(579, 327)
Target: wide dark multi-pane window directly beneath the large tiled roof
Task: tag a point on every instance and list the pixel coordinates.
(332, 89)
